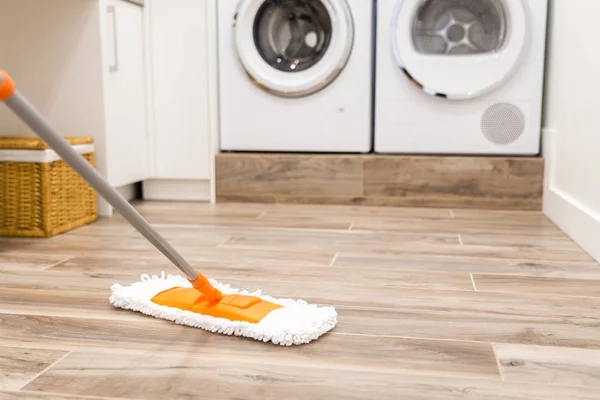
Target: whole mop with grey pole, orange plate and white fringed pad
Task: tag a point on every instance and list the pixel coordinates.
(193, 300)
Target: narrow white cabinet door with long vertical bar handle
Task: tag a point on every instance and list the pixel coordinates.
(126, 142)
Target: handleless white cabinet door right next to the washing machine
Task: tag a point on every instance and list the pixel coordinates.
(180, 84)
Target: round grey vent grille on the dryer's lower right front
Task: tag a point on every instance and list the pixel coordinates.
(503, 123)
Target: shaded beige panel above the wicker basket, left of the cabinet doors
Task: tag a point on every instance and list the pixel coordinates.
(53, 64)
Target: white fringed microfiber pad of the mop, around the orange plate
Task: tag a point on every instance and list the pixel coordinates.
(297, 322)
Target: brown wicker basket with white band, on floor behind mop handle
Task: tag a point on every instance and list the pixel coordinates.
(41, 195)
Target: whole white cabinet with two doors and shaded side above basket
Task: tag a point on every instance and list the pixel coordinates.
(140, 80)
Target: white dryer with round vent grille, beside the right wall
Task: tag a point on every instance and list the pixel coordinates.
(460, 76)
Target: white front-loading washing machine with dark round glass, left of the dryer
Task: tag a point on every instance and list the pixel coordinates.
(295, 75)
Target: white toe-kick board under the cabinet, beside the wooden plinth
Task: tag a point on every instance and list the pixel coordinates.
(176, 190)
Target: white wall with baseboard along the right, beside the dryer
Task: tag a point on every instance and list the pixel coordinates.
(572, 115)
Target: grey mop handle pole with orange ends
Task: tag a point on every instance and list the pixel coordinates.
(34, 119)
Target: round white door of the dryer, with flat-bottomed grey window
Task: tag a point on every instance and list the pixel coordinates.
(459, 49)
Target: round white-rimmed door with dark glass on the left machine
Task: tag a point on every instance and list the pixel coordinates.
(293, 48)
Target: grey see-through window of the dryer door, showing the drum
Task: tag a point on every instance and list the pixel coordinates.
(460, 27)
